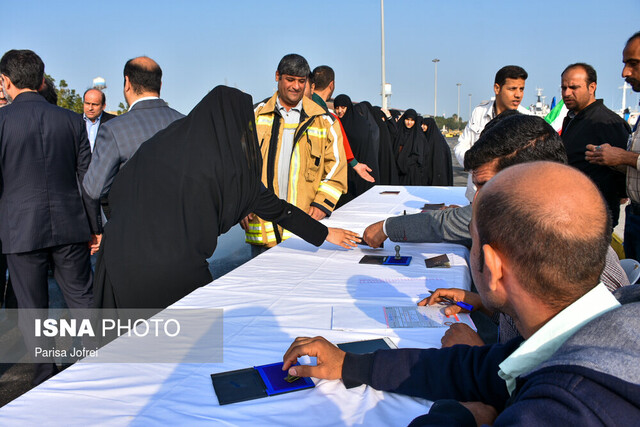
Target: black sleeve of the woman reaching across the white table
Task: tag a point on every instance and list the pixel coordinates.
(286, 215)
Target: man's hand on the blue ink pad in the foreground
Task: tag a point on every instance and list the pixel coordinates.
(329, 358)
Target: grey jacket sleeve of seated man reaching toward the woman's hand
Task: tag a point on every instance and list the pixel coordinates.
(447, 225)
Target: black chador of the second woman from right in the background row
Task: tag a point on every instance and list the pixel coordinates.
(409, 147)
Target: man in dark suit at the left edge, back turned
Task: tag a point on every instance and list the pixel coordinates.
(44, 154)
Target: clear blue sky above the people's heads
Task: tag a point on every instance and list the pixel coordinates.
(201, 44)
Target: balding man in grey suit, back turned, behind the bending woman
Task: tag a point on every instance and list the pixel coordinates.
(121, 137)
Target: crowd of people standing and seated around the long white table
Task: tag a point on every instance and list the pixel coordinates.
(151, 190)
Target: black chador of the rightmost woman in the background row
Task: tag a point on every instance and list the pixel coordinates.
(440, 168)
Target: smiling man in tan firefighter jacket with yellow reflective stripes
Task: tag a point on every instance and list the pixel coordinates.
(302, 150)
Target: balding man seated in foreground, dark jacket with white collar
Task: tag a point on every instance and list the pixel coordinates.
(577, 359)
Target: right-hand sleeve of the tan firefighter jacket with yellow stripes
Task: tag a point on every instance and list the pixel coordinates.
(334, 181)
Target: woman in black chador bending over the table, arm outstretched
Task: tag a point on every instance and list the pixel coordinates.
(184, 187)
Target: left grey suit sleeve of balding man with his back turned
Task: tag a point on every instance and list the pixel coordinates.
(105, 163)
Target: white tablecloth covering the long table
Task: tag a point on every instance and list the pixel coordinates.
(288, 291)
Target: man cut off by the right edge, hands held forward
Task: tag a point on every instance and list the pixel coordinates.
(605, 154)
